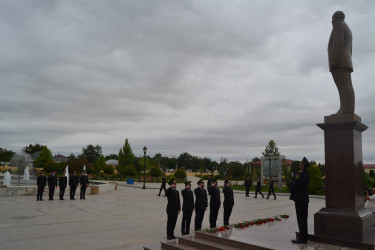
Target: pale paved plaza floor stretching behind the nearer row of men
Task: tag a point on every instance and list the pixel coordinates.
(126, 218)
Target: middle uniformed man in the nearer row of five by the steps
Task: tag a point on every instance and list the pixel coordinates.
(201, 204)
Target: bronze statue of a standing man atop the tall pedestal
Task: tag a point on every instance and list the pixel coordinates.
(340, 62)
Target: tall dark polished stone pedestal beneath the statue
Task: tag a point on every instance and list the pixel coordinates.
(344, 217)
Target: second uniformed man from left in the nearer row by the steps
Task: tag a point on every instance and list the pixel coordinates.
(187, 208)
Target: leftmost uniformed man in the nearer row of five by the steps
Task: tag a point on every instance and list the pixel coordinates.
(173, 208)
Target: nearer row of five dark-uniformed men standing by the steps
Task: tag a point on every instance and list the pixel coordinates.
(200, 205)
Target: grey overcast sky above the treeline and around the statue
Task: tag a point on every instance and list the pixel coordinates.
(212, 78)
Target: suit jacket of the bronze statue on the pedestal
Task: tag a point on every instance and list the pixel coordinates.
(340, 46)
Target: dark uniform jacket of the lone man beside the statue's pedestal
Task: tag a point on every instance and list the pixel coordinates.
(299, 189)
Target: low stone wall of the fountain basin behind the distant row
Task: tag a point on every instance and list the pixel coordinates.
(32, 190)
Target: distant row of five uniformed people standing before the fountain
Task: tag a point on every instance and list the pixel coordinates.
(62, 182)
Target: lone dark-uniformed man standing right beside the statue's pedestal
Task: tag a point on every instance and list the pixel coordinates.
(299, 194)
